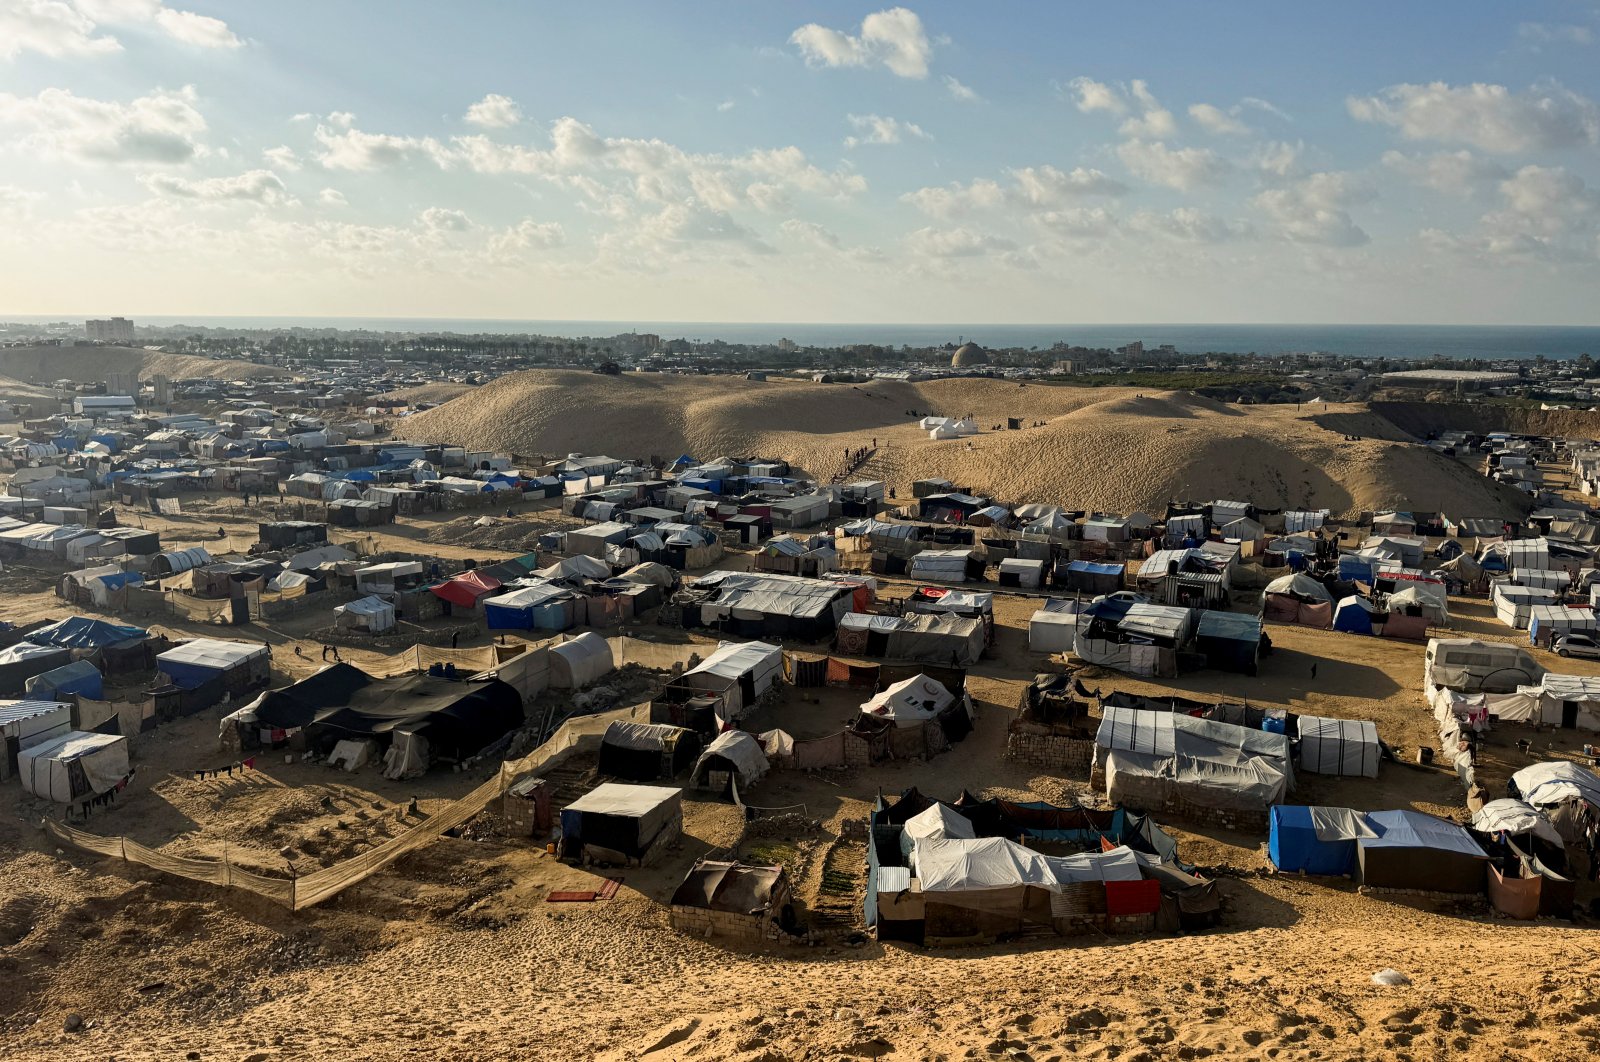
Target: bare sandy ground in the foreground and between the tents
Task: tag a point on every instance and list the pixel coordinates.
(455, 954)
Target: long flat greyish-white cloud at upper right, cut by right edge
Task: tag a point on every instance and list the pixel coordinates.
(1489, 118)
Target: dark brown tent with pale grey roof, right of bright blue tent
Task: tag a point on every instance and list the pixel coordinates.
(1418, 852)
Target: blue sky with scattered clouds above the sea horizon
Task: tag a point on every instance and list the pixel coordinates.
(1164, 162)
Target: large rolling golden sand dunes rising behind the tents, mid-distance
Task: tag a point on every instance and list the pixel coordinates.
(1110, 449)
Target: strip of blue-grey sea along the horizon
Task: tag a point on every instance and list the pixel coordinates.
(1370, 341)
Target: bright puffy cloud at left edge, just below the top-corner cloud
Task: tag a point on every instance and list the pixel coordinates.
(164, 127)
